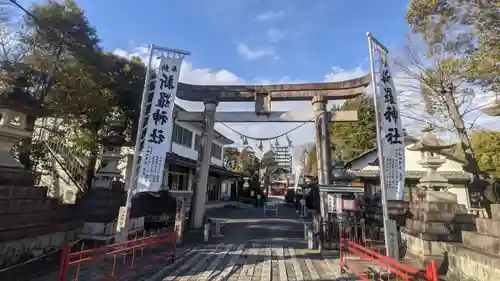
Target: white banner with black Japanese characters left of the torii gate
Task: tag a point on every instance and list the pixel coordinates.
(158, 133)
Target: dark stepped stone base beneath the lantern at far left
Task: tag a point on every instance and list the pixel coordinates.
(32, 224)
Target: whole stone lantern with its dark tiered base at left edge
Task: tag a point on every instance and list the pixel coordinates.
(30, 222)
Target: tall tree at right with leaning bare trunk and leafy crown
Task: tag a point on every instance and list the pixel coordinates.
(462, 39)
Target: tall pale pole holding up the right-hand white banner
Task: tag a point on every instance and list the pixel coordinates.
(385, 210)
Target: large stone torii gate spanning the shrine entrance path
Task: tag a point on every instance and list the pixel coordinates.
(318, 93)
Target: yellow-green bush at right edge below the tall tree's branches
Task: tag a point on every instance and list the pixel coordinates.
(486, 146)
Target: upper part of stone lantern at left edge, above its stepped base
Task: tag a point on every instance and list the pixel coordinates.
(15, 104)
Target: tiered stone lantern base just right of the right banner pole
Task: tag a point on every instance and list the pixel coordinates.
(436, 218)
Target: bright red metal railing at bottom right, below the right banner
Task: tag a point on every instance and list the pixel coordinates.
(370, 265)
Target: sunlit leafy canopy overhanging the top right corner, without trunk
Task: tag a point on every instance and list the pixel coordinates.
(468, 29)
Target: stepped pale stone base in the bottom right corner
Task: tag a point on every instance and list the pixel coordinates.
(478, 259)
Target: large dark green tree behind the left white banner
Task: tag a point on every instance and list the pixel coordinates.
(64, 68)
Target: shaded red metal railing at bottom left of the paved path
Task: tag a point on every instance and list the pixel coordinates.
(118, 259)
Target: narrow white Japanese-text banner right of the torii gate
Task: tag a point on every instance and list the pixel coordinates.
(391, 132)
